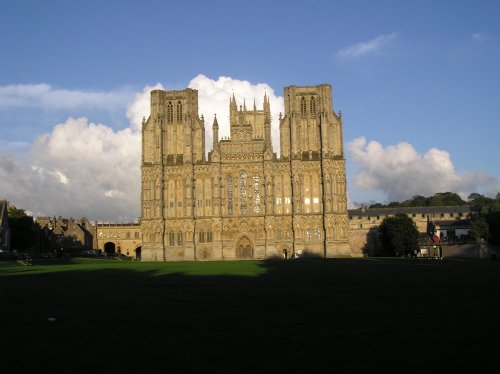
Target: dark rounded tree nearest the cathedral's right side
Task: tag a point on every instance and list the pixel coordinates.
(399, 235)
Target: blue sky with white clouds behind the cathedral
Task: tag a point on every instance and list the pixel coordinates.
(417, 83)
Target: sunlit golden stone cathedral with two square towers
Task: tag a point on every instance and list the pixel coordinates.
(243, 201)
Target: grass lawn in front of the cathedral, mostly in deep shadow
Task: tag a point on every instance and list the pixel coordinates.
(315, 316)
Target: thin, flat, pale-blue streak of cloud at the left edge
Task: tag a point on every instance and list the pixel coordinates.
(45, 96)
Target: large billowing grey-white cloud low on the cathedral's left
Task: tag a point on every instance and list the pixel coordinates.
(79, 168)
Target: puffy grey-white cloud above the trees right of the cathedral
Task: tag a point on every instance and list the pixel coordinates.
(400, 172)
